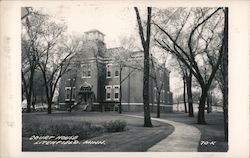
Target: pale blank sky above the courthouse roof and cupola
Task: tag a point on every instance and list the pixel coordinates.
(114, 22)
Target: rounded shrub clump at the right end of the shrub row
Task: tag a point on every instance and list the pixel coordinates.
(115, 126)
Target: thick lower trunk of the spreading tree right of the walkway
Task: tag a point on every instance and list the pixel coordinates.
(201, 113)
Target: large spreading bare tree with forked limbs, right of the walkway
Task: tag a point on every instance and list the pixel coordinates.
(196, 37)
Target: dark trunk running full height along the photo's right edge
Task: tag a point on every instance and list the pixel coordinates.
(225, 75)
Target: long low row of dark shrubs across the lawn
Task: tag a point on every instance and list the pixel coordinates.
(84, 130)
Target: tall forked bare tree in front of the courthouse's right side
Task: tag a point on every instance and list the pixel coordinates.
(145, 45)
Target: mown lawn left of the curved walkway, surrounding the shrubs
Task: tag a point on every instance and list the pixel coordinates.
(134, 138)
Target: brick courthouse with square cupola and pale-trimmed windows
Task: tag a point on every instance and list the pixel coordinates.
(93, 80)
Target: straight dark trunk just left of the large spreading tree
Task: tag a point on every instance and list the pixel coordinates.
(190, 96)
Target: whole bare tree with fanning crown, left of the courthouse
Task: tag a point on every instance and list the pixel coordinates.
(51, 50)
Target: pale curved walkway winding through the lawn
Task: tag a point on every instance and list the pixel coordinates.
(185, 138)
